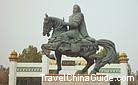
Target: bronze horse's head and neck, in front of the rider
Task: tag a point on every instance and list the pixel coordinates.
(55, 23)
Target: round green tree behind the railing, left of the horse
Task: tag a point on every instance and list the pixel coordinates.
(30, 54)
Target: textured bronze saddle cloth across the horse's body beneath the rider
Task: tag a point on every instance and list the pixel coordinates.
(72, 46)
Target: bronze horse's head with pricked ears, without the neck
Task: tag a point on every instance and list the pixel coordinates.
(47, 25)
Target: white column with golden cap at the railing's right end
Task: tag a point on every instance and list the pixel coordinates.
(124, 66)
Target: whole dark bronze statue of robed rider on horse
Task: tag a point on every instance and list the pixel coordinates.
(71, 39)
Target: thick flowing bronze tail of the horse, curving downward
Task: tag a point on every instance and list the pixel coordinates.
(109, 46)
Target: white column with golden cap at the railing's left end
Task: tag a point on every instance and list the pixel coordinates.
(12, 71)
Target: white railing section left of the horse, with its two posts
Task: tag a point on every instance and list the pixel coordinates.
(27, 69)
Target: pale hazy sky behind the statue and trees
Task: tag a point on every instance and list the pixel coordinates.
(21, 23)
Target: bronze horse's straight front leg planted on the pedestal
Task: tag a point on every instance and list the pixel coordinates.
(58, 58)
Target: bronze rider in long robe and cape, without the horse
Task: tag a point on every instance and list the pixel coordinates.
(77, 27)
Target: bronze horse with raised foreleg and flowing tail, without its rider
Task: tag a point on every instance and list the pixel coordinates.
(83, 48)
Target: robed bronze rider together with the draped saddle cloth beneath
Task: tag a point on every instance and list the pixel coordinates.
(77, 33)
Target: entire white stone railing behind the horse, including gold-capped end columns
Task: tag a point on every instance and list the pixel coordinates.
(37, 69)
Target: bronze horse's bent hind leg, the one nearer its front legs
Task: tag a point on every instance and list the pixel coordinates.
(90, 62)
